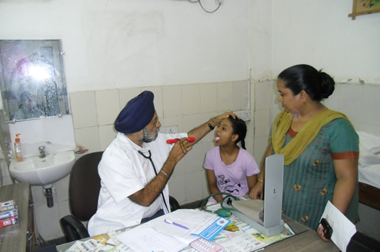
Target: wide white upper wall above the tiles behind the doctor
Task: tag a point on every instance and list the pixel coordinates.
(121, 44)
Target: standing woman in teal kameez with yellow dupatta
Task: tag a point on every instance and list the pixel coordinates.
(320, 148)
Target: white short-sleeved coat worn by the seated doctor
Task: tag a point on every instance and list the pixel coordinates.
(122, 175)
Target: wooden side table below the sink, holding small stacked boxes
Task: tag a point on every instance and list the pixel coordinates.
(20, 236)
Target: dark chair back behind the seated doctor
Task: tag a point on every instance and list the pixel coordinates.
(84, 186)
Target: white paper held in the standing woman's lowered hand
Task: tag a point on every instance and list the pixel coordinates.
(343, 229)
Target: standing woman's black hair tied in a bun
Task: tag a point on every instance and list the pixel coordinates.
(317, 84)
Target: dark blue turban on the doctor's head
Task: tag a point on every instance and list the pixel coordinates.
(137, 114)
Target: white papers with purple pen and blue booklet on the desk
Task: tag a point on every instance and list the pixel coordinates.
(158, 235)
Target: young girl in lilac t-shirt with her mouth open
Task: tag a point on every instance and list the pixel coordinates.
(230, 169)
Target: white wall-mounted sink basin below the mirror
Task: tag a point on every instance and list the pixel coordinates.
(43, 171)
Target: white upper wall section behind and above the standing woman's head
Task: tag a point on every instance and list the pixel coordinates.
(321, 34)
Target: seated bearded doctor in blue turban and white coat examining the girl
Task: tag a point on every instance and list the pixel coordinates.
(137, 165)
